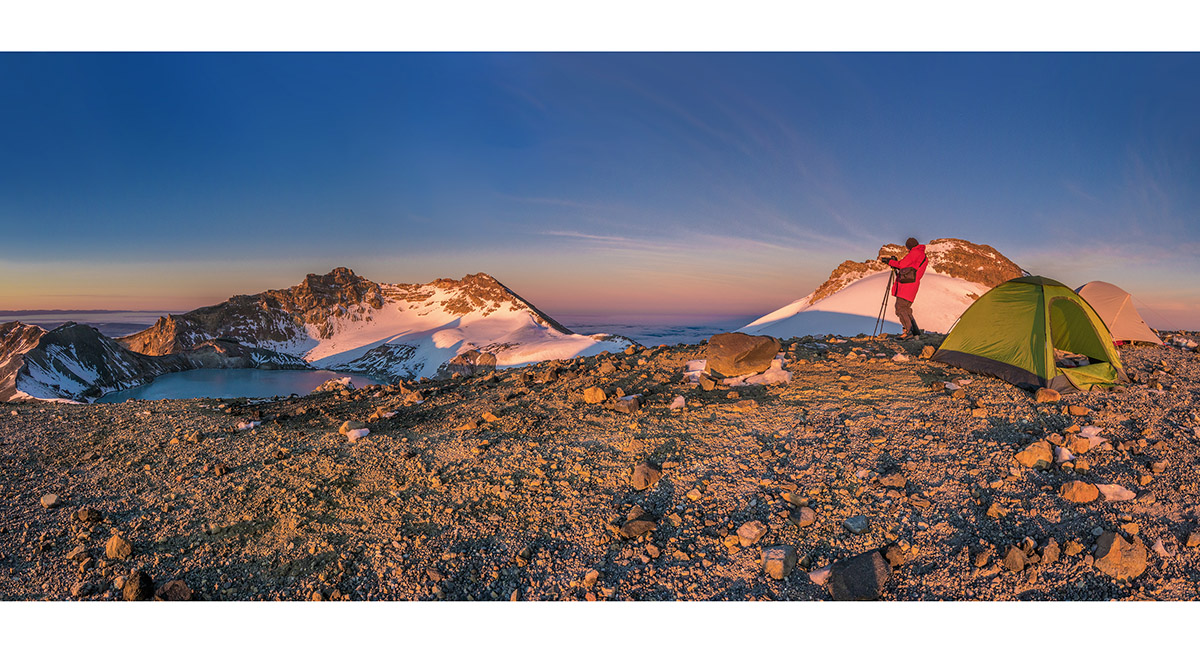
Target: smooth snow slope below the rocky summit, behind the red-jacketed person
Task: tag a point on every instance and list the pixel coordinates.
(854, 310)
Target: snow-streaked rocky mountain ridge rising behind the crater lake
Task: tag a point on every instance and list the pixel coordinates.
(345, 322)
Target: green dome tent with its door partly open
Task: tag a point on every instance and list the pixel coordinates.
(1013, 332)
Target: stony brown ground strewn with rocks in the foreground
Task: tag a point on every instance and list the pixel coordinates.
(514, 486)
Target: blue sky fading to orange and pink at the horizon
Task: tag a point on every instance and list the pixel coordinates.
(652, 186)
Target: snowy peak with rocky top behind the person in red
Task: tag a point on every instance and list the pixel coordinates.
(849, 303)
